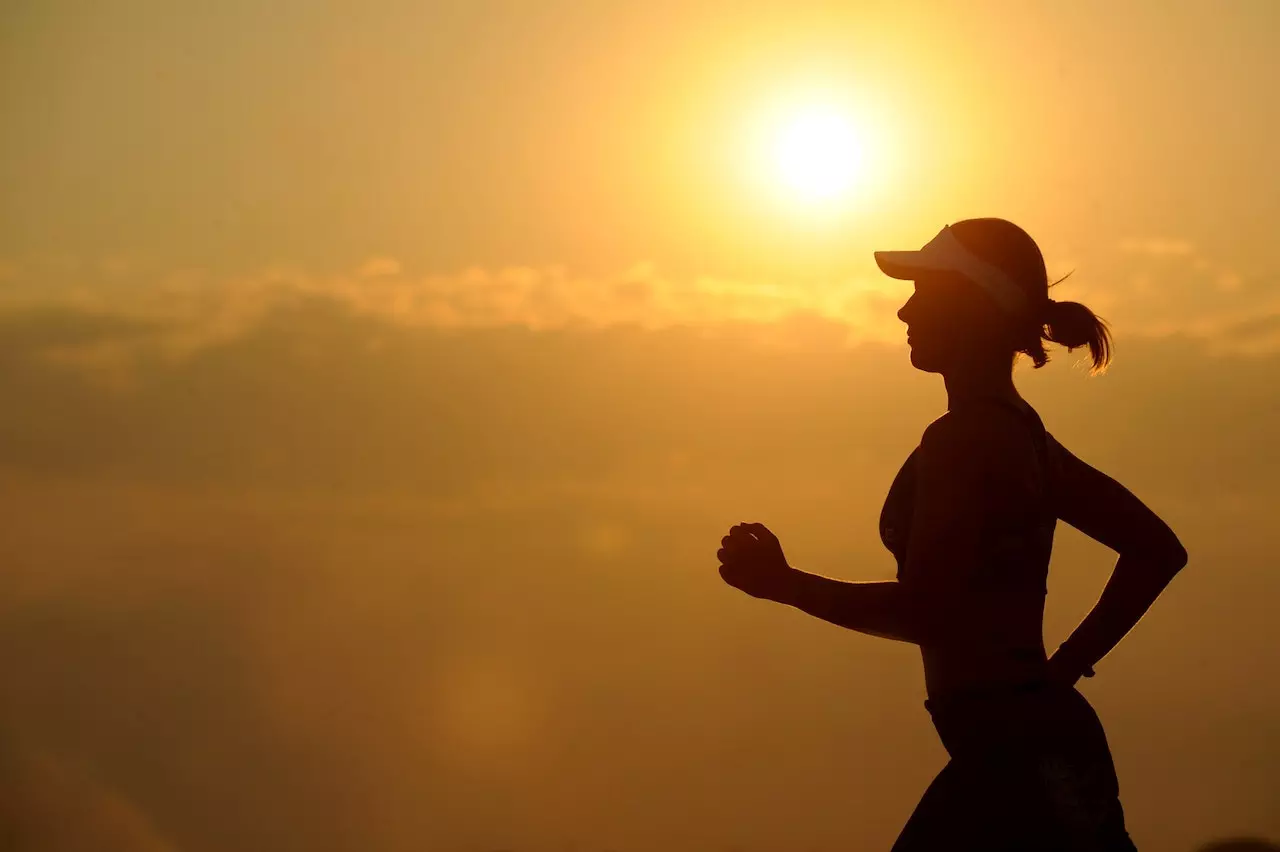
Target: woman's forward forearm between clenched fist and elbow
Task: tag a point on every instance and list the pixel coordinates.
(872, 608)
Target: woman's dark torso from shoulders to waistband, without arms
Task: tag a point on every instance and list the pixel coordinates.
(1004, 615)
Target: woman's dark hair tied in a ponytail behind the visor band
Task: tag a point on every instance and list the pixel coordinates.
(1011, 249)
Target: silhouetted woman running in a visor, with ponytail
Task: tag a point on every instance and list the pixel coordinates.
(971, 521)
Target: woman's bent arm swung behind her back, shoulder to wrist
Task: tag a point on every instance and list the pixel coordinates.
(1150, 556)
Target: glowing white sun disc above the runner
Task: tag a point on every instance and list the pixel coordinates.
(819, 155)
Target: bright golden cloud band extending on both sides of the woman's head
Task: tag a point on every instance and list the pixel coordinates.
(1153, 288)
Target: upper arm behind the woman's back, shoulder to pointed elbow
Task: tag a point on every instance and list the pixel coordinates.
(1107, 511)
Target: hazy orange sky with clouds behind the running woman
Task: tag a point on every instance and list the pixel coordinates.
(382, 378)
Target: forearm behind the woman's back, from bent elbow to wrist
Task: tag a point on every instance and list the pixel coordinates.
(1133, 588)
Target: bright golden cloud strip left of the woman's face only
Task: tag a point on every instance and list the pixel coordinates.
(190, 309)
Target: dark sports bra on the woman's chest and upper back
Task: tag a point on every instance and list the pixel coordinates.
(1026, 547)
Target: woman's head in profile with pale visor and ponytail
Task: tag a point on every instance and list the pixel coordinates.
(981, 294)
